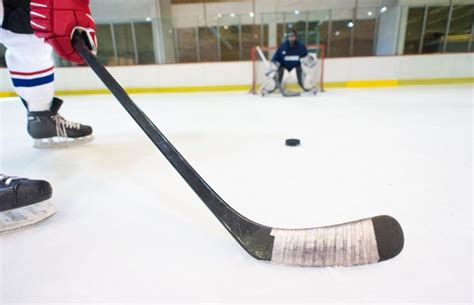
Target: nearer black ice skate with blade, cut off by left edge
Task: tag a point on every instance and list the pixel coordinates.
(23, 202)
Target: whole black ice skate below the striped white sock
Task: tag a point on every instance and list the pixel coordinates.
(51, 130)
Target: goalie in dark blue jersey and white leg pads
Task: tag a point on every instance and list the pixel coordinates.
(292, 54)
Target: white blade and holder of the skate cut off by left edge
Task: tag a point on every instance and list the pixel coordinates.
(18, 219)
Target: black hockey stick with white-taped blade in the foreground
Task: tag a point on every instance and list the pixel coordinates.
(360, 242)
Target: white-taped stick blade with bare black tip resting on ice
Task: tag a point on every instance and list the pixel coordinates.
(359, 242)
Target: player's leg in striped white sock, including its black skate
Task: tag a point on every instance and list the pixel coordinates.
(31, 67)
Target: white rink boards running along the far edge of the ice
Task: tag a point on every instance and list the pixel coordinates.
(240, 73)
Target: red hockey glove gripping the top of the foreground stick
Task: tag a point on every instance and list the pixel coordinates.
(57, 20)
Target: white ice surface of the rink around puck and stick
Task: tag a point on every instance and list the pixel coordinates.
(129, 229)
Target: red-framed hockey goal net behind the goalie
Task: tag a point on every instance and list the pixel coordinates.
(314, 77)
